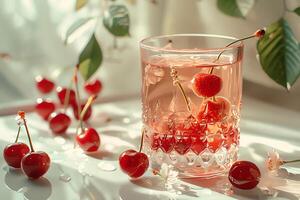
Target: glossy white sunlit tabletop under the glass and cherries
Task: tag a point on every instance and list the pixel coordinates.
(74, 175)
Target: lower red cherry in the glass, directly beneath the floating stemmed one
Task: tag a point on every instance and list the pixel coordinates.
(214, 111)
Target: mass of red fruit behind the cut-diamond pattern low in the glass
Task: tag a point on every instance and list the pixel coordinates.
(192, 135)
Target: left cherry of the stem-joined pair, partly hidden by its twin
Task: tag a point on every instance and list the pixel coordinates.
(13, 154)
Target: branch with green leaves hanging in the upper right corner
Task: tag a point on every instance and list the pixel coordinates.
(279, 51)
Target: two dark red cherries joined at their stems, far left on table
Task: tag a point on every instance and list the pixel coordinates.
(34, 164)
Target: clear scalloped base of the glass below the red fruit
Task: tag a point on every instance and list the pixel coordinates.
(190, 165)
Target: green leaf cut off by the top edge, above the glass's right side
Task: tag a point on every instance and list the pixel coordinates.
(235, 8)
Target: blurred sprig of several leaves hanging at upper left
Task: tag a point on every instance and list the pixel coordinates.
(115, 20)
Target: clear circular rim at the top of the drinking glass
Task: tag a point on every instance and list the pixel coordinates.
(162, 49)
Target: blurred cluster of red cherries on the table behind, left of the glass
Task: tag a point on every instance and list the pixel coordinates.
(59, 122)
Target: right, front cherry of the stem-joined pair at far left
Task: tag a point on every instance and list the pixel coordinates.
(35, 164)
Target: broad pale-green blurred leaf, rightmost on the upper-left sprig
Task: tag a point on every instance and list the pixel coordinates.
(116, 20)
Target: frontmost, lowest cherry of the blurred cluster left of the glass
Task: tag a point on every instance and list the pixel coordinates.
(89, 141)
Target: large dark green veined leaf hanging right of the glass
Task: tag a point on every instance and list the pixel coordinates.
(279, 54)
